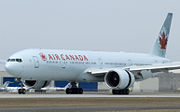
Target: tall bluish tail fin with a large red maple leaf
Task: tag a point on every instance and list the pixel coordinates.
(159, 48)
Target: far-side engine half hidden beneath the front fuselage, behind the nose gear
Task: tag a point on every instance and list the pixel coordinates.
(36, 84)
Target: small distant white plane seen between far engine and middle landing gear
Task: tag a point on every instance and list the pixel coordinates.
(51, 89)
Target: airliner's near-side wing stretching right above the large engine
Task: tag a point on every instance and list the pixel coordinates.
(135, 69)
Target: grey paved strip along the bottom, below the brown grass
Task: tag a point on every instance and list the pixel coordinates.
(88, 109)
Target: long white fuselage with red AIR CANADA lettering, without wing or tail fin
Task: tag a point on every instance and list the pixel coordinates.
(70, 65)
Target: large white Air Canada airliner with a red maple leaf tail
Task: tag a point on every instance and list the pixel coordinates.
(119, 70)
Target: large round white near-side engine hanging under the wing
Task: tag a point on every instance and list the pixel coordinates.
(119, 79)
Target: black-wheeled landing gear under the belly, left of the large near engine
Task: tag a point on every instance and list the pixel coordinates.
(74, 89)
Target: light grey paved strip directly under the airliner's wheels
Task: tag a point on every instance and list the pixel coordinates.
(85, 96)
